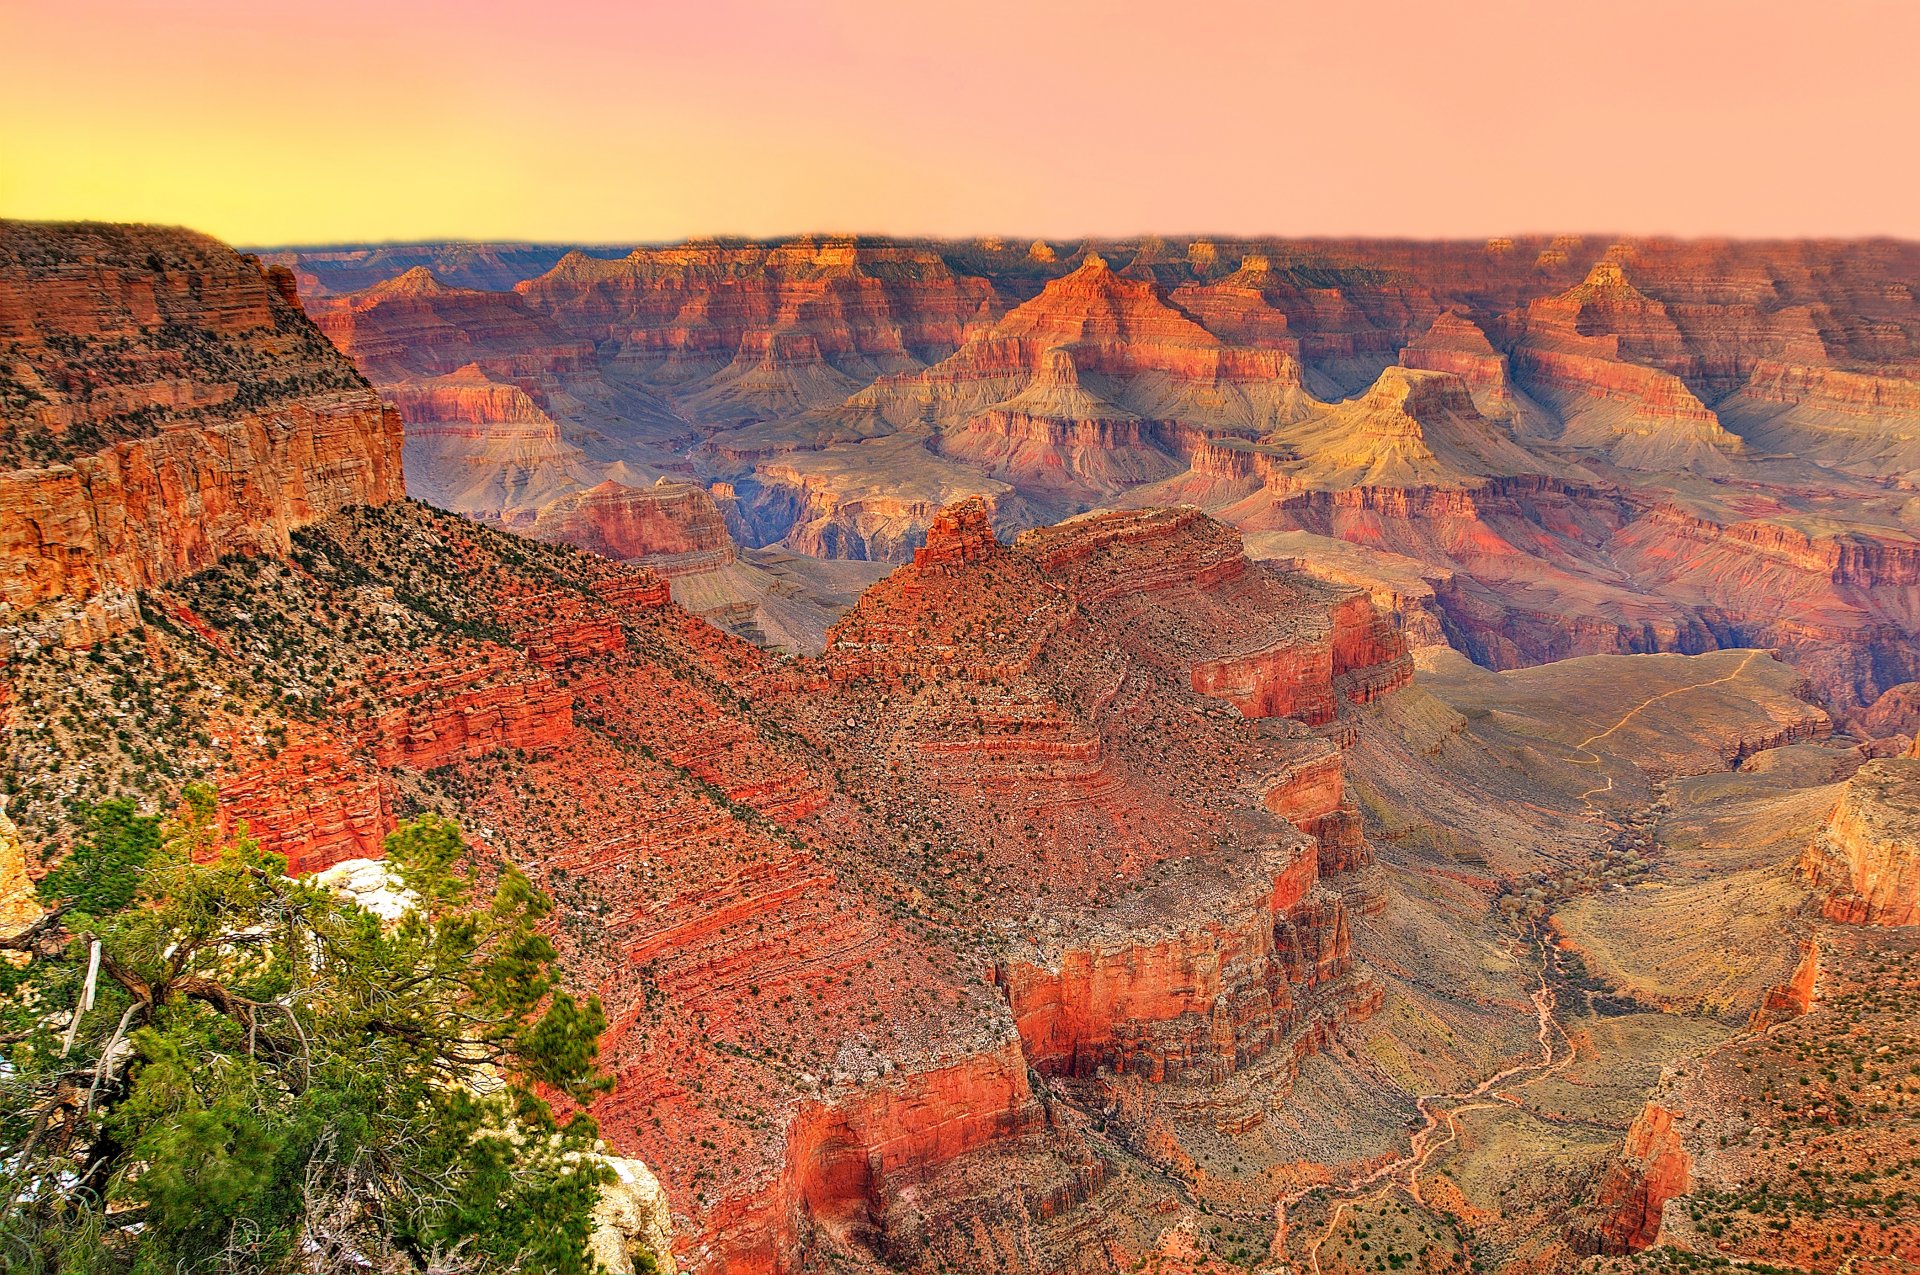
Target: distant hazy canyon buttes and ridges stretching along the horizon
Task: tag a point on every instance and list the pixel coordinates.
(1525, 448)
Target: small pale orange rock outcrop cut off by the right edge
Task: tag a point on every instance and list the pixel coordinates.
(1867, 859)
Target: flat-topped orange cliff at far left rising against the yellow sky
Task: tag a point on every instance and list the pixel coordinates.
(168, 404)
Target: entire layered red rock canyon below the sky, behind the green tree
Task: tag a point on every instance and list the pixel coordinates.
(1138, 758)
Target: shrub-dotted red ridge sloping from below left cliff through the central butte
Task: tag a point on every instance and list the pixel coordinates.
(840, 909)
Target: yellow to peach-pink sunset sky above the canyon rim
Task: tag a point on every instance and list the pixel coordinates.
(277, 122)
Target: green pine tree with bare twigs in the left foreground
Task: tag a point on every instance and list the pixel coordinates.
(268, 1078)
